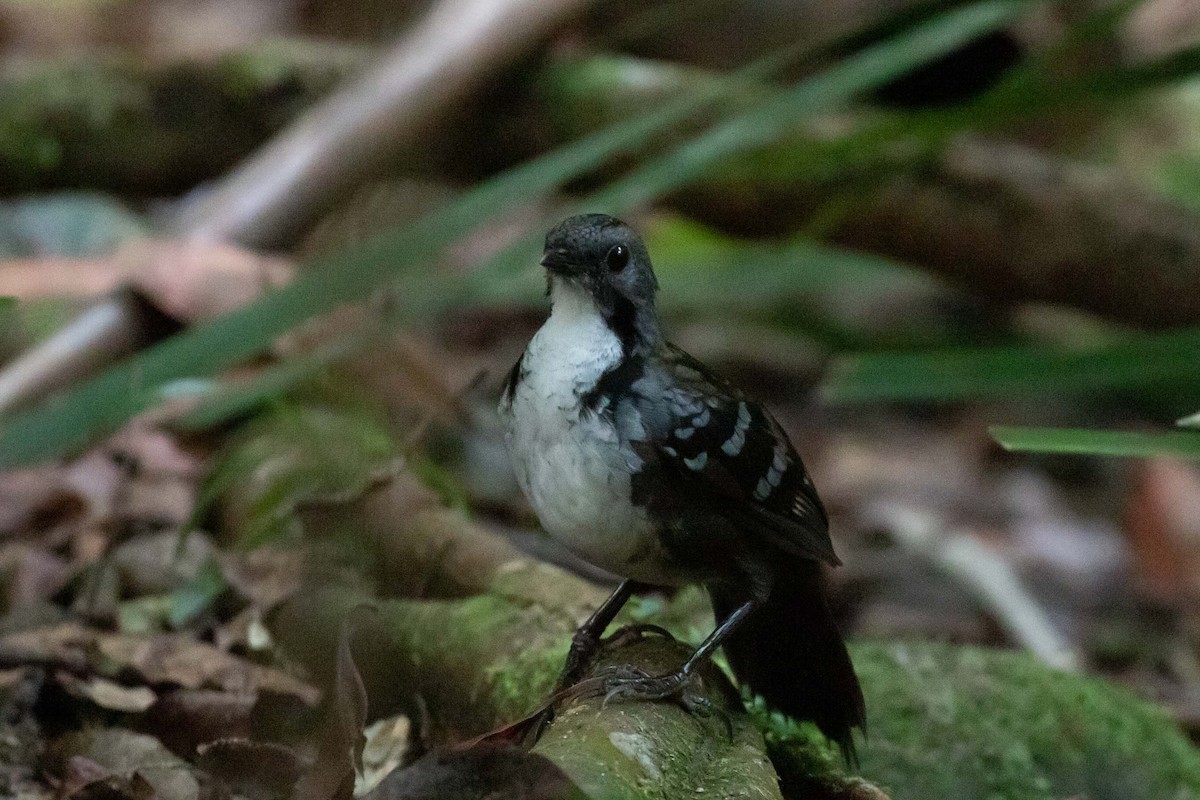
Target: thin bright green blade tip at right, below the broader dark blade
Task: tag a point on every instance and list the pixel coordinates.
(1181, 444)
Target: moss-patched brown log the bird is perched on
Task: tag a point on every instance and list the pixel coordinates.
(484, 647)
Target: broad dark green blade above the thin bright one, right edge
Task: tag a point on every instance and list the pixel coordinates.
(1137, 363)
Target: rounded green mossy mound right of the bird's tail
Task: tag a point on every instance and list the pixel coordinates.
(968, 723)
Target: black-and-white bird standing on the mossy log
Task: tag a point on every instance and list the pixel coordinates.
(644, 462)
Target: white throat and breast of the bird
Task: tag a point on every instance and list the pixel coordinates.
(571, 462)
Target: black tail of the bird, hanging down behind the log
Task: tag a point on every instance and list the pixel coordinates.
(791, 653)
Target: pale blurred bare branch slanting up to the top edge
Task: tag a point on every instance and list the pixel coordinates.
(392, 109)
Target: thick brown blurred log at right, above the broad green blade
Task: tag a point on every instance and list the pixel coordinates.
(1021, 225)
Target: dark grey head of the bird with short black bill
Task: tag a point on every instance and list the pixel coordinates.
(605, 260)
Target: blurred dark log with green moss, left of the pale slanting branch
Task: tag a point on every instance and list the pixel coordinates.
(125, 125)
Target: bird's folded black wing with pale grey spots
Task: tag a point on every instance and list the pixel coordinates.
(715, 443)
